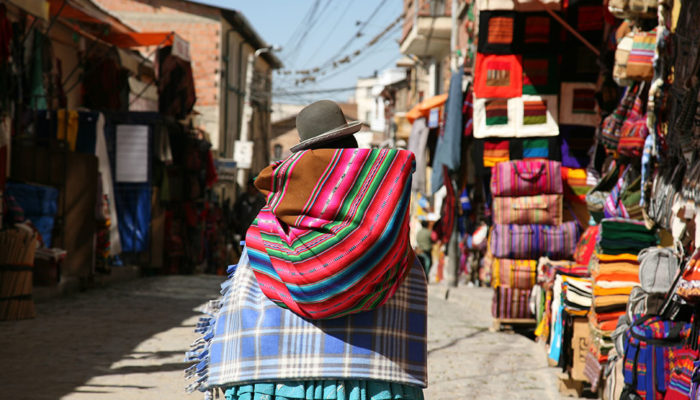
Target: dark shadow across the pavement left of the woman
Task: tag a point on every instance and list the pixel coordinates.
(81, 336)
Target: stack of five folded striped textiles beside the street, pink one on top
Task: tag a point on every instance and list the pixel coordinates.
(528, 224)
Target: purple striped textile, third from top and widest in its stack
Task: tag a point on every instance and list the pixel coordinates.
(534, 241)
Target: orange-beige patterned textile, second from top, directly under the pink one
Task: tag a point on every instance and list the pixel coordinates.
(539, 209)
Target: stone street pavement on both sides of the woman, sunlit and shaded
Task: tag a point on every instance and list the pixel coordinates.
(127, 342)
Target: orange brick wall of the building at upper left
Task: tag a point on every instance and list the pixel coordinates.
(199, 25)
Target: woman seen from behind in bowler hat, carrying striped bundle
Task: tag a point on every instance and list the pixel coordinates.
(328, 300)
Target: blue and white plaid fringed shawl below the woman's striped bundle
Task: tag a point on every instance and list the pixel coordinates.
(248, 338)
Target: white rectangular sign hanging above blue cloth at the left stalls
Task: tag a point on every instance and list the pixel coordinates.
(132, 153)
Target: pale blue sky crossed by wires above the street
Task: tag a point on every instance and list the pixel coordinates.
(314, 33)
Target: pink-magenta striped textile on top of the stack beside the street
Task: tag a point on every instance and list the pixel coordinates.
(526, 178)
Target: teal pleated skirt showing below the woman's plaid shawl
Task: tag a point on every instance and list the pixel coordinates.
(325, 390)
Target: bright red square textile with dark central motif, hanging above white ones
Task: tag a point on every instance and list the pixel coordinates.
(498, 76)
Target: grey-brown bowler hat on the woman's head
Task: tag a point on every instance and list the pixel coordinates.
(322, 121)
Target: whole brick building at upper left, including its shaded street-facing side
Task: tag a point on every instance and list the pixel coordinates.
(221, 44)
